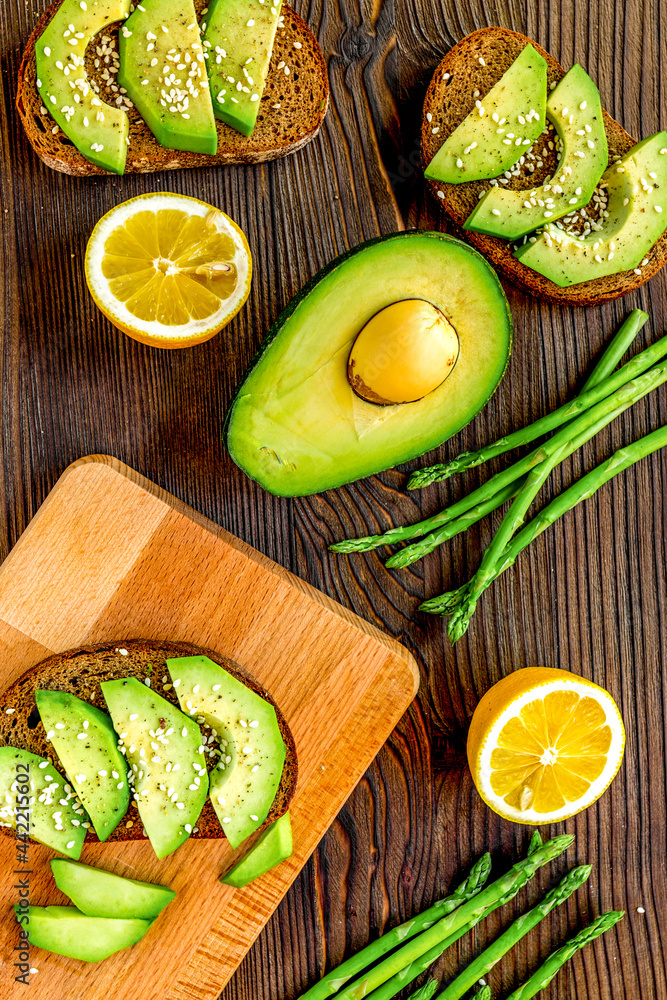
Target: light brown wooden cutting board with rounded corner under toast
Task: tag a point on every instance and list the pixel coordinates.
(109, 555)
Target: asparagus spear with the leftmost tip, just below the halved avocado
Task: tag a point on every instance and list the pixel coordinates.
(632, 389)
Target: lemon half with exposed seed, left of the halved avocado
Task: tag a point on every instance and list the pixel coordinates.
(168, 270)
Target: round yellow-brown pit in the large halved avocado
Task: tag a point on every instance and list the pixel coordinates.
(403, 353)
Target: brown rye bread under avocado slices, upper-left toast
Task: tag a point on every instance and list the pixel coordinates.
(303, 96)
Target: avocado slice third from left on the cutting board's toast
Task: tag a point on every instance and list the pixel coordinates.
(165, 753)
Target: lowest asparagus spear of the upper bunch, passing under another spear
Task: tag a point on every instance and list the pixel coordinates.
(585, 488)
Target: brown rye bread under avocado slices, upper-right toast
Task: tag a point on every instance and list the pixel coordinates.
(449, 99)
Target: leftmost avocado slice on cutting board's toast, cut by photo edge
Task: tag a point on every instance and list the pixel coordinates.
(56, 817)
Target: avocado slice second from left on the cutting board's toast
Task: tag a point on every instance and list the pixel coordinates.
(86, 745)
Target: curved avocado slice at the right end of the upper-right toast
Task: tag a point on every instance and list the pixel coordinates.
(637, 217)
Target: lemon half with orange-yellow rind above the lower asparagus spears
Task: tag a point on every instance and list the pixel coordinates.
(544, 744)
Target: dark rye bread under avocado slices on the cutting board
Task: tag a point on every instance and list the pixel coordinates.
(80, 671)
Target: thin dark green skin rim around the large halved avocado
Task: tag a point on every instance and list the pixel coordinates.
(310, 286)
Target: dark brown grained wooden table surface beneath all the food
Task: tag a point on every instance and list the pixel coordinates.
(590, 595)
